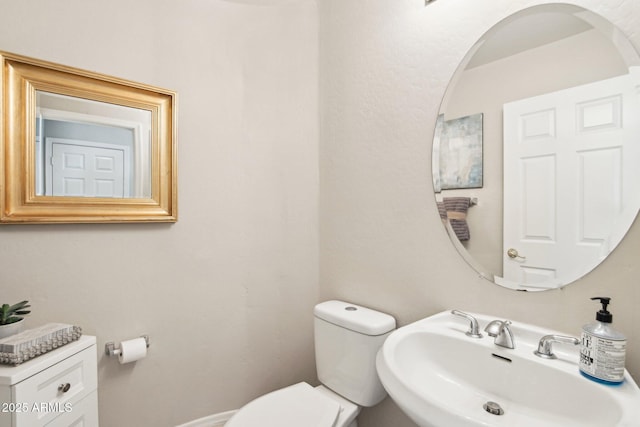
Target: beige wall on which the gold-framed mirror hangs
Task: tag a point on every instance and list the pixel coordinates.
(225, 294)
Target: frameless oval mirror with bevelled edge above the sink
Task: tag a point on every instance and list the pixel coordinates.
(536, 148)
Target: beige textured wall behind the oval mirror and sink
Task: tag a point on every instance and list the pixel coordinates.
(384, 69)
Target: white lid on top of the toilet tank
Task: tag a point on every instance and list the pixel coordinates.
(354, 317)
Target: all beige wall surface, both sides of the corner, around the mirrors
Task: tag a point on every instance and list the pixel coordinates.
(226, 293)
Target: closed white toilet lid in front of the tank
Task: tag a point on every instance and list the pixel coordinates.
(293, 406)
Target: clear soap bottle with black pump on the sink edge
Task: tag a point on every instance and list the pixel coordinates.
(602, 350)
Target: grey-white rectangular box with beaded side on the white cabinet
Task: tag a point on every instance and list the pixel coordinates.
(31, 343)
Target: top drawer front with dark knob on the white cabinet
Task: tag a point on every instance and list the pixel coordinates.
(57, 389)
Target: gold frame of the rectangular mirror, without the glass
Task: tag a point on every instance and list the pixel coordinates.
(21, 77)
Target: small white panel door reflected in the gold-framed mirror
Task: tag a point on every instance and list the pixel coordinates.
(86, 169)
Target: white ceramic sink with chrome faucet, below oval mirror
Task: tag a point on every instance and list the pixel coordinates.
(441, 377)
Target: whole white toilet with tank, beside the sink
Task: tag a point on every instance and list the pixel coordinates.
(347, 339)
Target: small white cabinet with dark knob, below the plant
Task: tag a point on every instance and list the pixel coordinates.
(56, 389)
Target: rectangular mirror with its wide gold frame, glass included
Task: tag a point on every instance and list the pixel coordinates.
(79, 146)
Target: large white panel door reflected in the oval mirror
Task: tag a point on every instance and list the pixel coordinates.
(570, 179)
